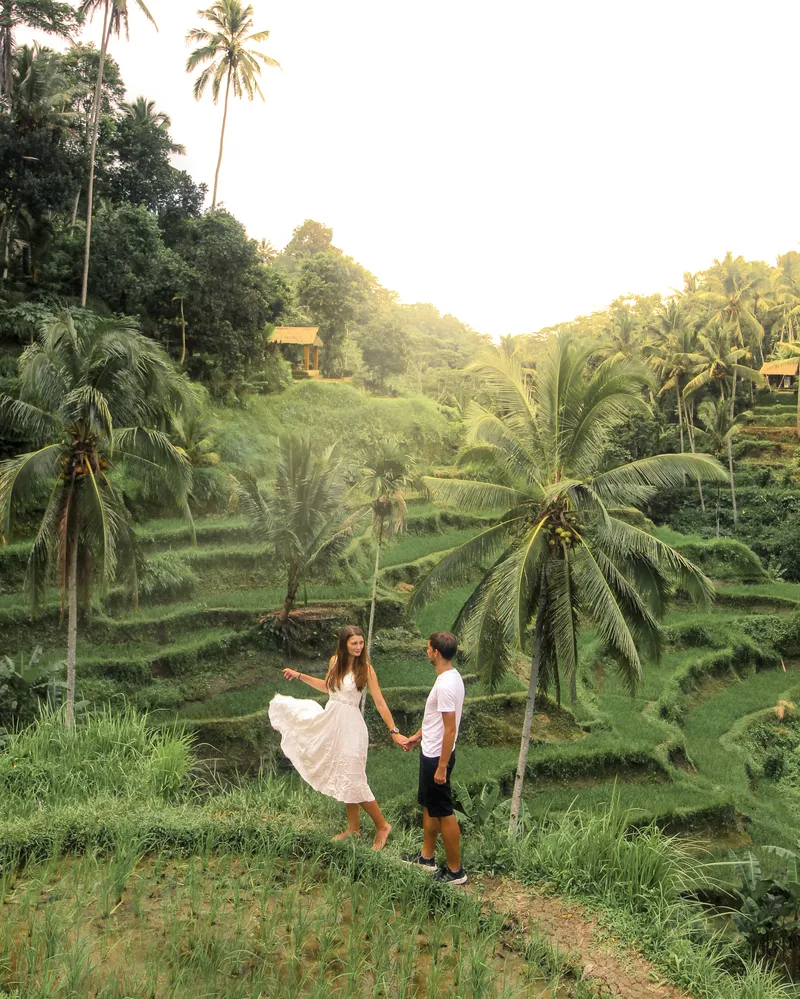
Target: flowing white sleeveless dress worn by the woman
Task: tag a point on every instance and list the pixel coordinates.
(328, 746)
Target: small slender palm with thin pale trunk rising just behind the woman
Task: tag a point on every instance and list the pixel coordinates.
(386, 474)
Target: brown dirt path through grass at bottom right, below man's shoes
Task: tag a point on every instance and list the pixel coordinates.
(612, 968)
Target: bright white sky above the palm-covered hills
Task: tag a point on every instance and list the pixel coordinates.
(516, 163)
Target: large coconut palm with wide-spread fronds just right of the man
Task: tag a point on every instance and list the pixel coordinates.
(562, 555)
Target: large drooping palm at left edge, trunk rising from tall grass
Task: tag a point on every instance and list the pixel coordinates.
(89, 395)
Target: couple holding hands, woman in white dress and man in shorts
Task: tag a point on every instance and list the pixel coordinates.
(328, 746)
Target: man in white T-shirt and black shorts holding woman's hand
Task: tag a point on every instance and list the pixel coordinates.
(437, 740)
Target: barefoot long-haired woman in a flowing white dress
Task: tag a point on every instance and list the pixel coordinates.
(328, 746)
